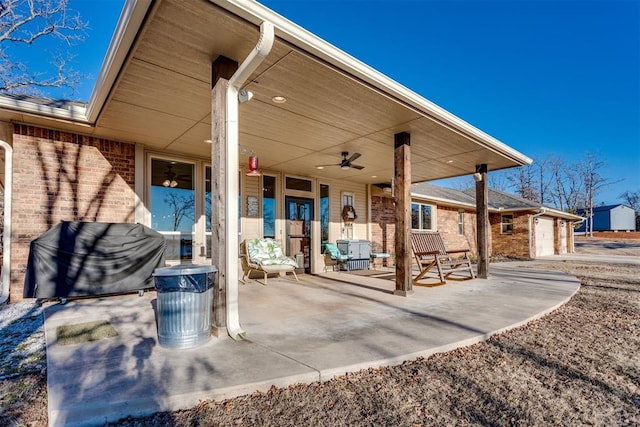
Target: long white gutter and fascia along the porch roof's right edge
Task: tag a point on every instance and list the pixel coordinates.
(256, 13)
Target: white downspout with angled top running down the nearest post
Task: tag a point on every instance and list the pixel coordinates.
(242, 74)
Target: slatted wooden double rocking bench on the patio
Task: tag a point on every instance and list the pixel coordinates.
(429, 251)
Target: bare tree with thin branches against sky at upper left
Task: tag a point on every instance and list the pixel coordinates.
(25, 22)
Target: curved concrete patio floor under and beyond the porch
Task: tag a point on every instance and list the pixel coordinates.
(304, 331)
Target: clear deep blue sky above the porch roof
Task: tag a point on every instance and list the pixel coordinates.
(546, 77)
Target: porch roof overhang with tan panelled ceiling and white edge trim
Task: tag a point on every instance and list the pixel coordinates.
(155, 89)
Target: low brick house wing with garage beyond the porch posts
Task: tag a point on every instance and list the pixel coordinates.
(519, 228)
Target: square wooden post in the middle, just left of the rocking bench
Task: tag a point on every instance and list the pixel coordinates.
(402, 189)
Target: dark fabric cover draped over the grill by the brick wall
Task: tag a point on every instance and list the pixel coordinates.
(93, 258)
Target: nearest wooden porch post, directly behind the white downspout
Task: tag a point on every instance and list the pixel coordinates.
(222, 69)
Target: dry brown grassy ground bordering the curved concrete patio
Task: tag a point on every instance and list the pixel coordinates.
(578, 365)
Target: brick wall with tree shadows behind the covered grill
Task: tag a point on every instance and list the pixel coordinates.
(63, 176)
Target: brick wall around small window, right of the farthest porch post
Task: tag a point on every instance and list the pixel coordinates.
(514, 245)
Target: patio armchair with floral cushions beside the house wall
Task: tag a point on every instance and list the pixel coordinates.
(265, 255)
